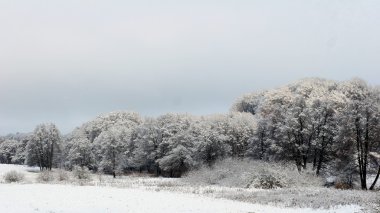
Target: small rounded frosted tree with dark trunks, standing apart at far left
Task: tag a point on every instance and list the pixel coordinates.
(43, 145)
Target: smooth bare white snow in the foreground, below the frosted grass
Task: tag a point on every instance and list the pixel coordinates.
(65, 198)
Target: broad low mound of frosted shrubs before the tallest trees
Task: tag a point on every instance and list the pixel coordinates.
(247, 173)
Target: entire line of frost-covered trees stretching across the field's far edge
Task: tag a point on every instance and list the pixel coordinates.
(331, 126)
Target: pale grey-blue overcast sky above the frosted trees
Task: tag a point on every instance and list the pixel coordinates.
(68, 61)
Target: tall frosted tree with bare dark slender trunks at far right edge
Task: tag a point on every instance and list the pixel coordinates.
(360, 124)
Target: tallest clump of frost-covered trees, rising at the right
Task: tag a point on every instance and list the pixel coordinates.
(305, 122)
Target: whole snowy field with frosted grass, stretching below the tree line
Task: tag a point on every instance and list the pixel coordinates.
(146, 194)
